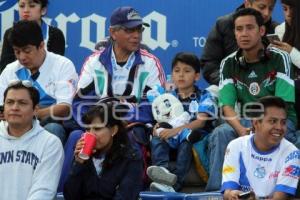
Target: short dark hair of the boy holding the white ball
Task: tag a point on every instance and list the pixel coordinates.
(187, 58)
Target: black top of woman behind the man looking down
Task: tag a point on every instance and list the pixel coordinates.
(55, 44)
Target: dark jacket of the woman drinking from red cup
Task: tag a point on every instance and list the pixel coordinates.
(122, 179)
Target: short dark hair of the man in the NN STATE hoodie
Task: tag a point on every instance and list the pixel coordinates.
(32, 91)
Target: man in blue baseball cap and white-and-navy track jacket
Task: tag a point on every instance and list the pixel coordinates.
(122, 69)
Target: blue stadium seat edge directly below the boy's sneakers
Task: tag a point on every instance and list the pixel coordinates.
(161, 196)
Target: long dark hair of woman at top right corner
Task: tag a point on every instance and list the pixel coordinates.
(292, 32)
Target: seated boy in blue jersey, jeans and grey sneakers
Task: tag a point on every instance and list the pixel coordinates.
(202, 108)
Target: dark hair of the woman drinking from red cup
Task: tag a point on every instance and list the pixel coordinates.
(110, 114)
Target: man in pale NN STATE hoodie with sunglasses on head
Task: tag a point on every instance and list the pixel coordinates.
(31, 158)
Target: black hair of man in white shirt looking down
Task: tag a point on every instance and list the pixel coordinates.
(25, 33)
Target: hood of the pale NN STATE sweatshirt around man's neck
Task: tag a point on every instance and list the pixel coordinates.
(36, 129)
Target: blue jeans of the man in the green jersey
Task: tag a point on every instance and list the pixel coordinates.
(218, 142)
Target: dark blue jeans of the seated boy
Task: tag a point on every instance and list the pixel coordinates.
(160, 150)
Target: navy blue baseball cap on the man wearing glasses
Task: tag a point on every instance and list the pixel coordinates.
(126, 16)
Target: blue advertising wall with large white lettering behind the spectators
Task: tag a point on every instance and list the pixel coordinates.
(176, 25)
